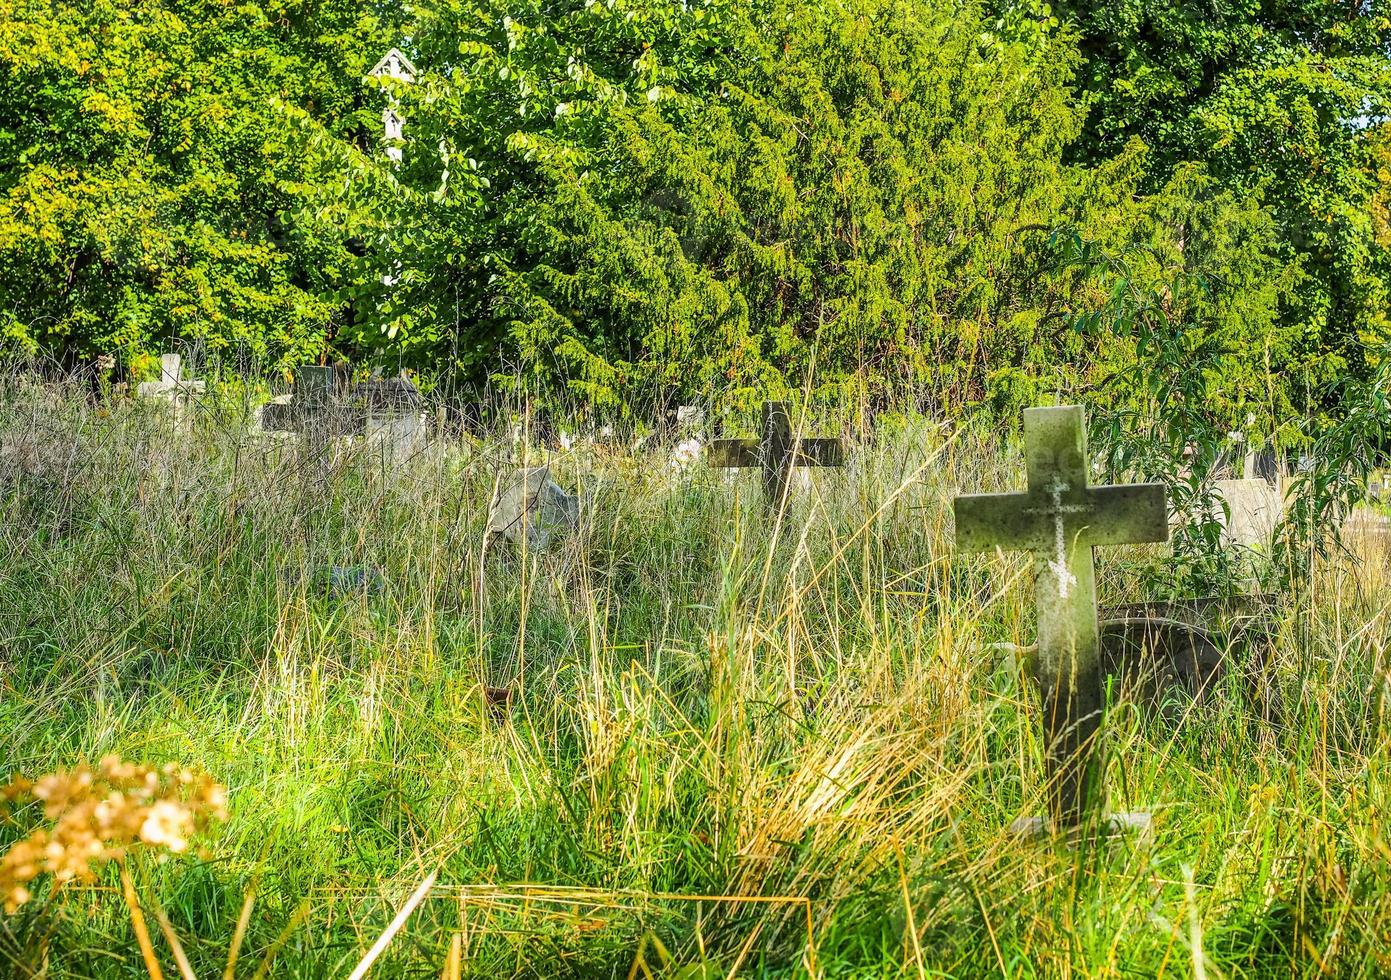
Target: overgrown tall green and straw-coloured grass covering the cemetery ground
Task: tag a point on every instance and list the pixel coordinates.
(688, 739)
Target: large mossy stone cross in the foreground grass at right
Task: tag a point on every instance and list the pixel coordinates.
(1061, 521)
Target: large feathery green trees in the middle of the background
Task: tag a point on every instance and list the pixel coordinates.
(636, 199)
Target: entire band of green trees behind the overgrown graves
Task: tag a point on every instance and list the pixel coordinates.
(621, 201)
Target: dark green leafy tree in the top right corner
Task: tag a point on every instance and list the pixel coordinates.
(1276, 99)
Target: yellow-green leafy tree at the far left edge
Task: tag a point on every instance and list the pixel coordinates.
(147, 183)
